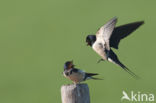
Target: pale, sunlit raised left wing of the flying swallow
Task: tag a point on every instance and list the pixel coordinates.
(104, 33)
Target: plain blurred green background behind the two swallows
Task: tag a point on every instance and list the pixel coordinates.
(38, 36)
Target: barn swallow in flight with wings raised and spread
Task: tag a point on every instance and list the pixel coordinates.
(109, 36)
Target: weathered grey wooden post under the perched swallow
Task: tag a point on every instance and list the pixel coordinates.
(75, 93)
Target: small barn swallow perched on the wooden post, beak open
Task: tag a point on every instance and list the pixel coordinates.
(76, 75)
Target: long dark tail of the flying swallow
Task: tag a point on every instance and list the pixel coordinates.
(114, 59)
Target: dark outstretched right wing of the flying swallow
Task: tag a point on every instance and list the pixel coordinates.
(122, 32)
